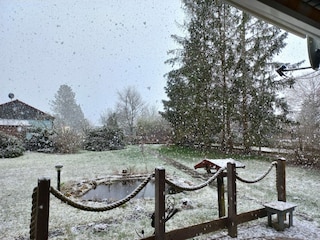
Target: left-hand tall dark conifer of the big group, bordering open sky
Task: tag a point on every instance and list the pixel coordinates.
(199, 115)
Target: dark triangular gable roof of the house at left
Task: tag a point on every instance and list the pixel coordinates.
(21, 111)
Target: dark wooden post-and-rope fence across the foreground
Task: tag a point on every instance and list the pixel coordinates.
(41, 195)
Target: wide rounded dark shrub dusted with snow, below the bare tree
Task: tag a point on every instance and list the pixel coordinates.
(104, 138)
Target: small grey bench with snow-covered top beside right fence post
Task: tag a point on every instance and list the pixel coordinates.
(281, 209)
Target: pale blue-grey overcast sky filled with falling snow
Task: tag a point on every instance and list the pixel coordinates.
(97, 47)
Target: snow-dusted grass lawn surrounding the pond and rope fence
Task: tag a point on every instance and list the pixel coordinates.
(19, 176)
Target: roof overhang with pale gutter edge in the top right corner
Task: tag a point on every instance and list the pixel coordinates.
(300, 17)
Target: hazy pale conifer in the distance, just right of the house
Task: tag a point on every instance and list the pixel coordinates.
(67, 112)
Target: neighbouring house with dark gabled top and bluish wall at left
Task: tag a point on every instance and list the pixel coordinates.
(18, 119)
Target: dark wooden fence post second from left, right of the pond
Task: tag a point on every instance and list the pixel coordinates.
(159, 204)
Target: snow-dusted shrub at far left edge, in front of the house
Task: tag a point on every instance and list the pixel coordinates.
(10, 147)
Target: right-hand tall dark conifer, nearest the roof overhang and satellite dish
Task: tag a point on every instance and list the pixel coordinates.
(256, 87)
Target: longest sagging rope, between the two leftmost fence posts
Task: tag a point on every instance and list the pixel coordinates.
(108, 207)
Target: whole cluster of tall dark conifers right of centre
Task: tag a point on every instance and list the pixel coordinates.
(223, 72)
